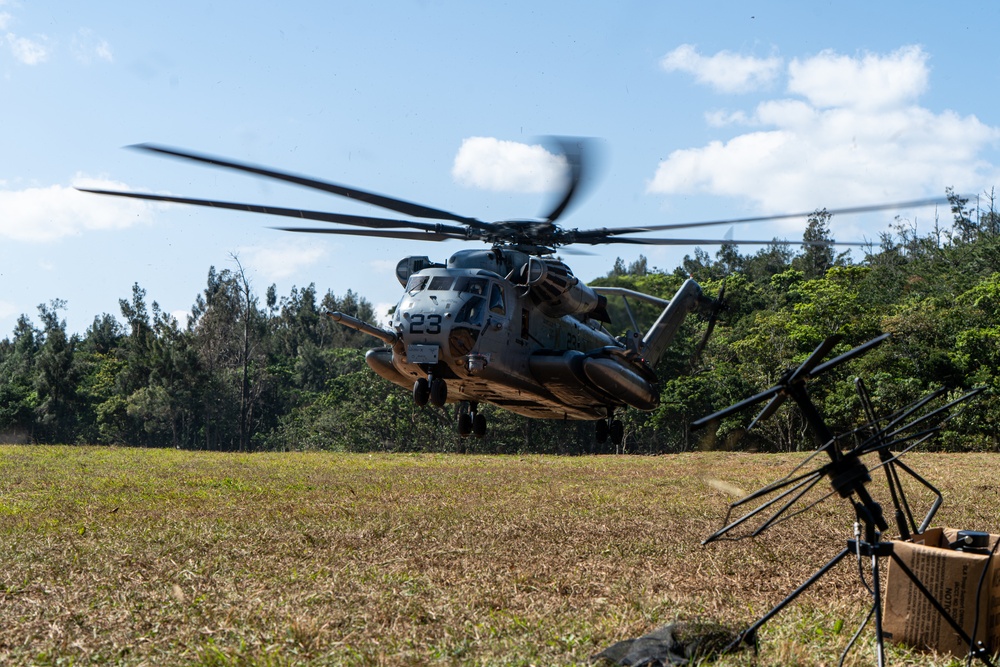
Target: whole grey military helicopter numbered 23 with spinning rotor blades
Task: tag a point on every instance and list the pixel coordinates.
(509, 324)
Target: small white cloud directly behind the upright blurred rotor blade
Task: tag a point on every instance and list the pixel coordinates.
(492, 164)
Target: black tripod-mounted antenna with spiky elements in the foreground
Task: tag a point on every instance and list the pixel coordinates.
(889, 438)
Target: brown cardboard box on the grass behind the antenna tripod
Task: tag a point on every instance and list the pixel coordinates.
(953, 578)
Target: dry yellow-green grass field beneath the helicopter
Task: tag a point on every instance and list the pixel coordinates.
(134, 557)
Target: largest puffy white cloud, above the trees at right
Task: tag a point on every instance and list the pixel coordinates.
(856, 136)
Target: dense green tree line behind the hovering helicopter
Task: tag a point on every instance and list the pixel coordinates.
(245, 375)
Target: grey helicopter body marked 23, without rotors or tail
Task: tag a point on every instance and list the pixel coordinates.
(491, 338)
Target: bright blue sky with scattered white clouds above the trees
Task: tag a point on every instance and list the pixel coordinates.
(703, 111)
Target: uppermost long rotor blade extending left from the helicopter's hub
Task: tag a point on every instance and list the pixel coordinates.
(382, 201)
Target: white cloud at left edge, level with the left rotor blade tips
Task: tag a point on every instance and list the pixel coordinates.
(42, 214)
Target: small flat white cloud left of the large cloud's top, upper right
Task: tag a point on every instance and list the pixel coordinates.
(725, 71)
